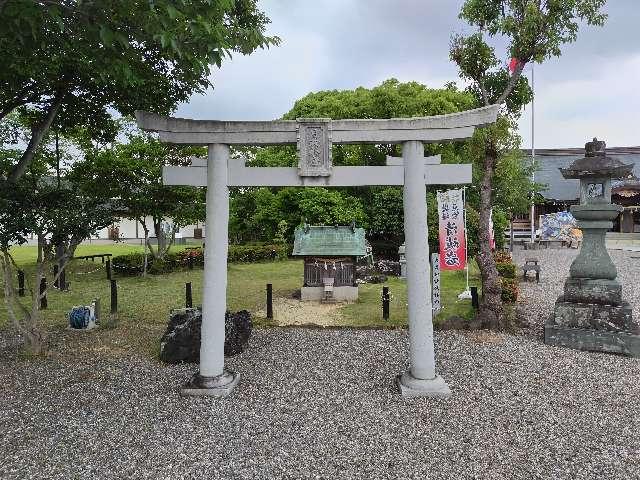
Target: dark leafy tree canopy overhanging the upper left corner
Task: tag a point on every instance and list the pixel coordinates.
(71, 61)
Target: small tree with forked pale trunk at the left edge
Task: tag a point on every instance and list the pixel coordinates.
(60, 217)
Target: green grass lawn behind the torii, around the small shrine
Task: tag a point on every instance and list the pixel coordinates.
(144, 302)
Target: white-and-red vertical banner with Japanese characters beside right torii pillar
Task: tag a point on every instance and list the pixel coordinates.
(453, 251)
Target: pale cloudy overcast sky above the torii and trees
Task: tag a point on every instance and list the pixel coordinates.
(592, 90)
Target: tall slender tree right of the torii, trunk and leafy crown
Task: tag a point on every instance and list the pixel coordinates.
(535, 31)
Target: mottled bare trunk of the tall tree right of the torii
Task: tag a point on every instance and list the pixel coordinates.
(490, 312)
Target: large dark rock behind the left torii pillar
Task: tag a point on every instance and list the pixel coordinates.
(181, 340)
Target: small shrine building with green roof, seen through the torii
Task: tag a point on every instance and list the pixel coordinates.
(330, 254)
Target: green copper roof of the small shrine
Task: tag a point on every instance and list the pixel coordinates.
(329, 241)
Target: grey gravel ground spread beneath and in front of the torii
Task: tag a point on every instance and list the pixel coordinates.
(322, 404)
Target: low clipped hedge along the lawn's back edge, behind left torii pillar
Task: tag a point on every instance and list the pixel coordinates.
(133, 263)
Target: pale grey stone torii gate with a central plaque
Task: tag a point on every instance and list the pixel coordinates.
(314, 138)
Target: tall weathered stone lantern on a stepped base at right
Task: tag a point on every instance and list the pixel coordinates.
(591, 314)
